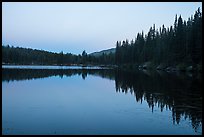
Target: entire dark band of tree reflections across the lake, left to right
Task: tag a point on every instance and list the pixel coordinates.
(177, 92)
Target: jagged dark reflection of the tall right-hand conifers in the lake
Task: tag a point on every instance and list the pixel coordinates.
(178, 93)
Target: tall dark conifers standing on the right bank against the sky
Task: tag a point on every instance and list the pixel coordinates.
(178, 46)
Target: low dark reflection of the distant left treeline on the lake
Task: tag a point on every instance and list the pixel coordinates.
(29, 74)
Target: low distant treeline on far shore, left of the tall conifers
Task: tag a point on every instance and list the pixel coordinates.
(28, 56)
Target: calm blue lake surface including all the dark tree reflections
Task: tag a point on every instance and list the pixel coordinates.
(76, 101)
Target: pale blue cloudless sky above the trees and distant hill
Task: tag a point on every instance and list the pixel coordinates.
(91, 26)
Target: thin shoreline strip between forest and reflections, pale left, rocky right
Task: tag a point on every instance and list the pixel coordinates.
(168, 69)
